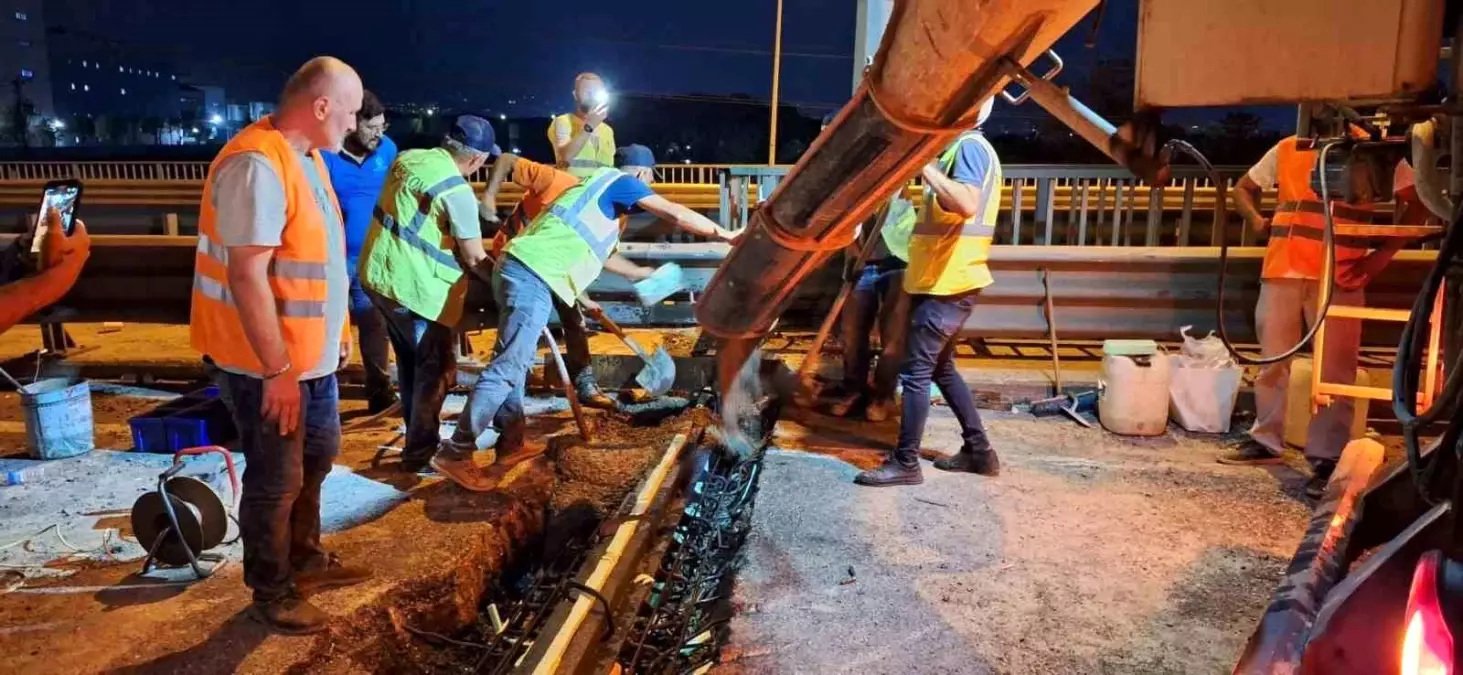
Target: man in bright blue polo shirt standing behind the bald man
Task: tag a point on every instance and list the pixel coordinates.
(359, 172)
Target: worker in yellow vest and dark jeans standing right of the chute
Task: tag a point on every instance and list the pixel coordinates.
(946, 275)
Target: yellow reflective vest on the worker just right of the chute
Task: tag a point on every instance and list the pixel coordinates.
(947, 253)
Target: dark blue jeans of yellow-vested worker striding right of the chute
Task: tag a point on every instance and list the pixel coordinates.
(936, 321)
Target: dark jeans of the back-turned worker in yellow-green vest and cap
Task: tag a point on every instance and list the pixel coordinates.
(426, 370)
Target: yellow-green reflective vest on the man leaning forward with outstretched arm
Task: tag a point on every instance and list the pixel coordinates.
(567, 245)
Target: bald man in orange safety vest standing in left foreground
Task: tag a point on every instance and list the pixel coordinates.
(271, 292)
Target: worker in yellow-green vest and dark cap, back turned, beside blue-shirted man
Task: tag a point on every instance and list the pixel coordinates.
(424, 248)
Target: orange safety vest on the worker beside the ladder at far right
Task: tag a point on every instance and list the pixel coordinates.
(1295, 248)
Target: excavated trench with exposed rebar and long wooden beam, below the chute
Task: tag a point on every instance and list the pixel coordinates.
(640, 545)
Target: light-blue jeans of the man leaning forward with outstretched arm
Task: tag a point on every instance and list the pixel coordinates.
(524, 304)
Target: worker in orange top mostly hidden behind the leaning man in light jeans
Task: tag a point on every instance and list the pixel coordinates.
(542, 185)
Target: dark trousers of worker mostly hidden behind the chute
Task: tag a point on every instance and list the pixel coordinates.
(879, 298)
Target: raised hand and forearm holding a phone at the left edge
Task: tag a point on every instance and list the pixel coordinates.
(62, 260)
